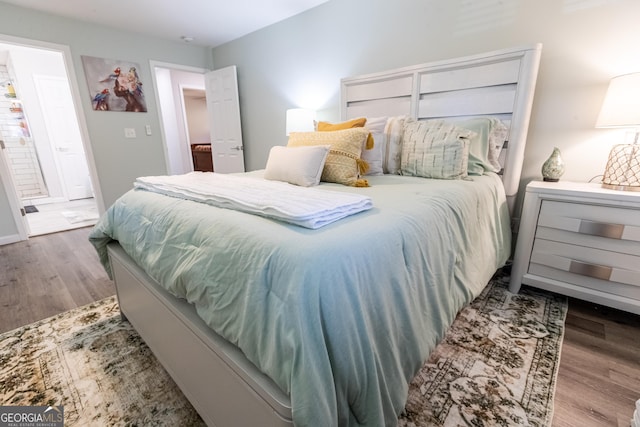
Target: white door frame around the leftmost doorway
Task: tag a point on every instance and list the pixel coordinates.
(14, 200)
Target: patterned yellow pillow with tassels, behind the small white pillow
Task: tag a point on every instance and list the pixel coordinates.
(343, 162)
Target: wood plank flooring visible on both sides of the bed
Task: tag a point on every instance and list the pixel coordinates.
(598, 380)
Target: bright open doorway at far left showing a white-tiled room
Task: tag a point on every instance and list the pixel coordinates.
(44, 152)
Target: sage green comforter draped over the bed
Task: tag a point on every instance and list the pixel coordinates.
(340, 317)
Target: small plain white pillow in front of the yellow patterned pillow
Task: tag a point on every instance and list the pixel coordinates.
(296, 165)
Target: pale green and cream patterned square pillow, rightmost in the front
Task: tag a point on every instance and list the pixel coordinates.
(435, 149)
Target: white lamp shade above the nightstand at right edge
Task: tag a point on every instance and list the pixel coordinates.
(621, 107)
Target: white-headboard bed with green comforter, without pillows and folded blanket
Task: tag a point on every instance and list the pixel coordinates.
(263, 322)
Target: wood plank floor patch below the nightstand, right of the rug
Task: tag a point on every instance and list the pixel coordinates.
(599, 377)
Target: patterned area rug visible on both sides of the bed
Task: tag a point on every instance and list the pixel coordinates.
(496, 366)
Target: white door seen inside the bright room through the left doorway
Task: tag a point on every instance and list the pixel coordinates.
(63, 130)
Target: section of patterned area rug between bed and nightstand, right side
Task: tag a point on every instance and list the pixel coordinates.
(496, 366)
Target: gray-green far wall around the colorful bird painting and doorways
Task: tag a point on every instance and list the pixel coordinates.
(118, 160)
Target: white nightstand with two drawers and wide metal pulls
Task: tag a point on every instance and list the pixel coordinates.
(580, 240)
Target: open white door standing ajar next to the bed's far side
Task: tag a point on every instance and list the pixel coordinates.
(223, 107)
